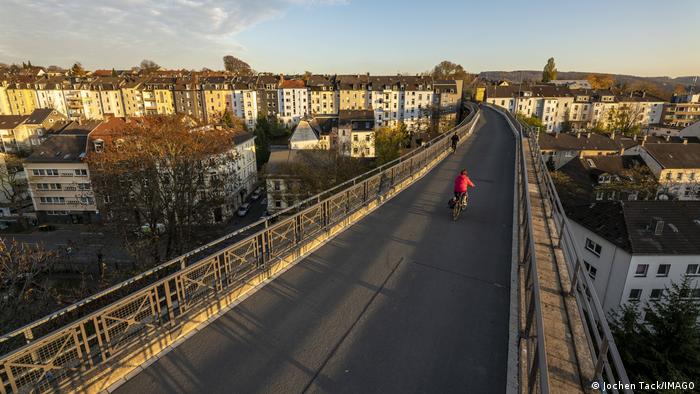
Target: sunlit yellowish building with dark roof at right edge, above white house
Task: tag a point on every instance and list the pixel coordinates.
(677, 168)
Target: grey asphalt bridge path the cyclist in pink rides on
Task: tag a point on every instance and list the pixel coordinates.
(405, 301)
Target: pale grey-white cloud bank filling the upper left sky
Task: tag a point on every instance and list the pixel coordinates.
(122, 32)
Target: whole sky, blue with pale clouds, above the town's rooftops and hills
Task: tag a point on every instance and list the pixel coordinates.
(638, 37)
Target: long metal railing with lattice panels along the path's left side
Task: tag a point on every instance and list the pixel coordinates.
(91, 343)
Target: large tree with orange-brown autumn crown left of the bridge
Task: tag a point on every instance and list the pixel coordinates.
(163, 179)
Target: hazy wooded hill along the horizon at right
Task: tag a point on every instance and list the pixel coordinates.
(662, 86)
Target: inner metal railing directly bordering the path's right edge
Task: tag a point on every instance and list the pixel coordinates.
(535, 364)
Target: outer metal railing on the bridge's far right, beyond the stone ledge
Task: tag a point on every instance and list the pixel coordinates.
(607, 362)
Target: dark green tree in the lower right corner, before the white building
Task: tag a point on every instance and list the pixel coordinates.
(661, 338)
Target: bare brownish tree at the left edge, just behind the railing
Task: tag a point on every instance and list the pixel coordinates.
(23, 292)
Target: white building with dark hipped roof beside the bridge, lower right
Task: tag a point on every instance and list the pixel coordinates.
(633, 250)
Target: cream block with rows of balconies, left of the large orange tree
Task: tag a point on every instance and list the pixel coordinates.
(59, 178)
